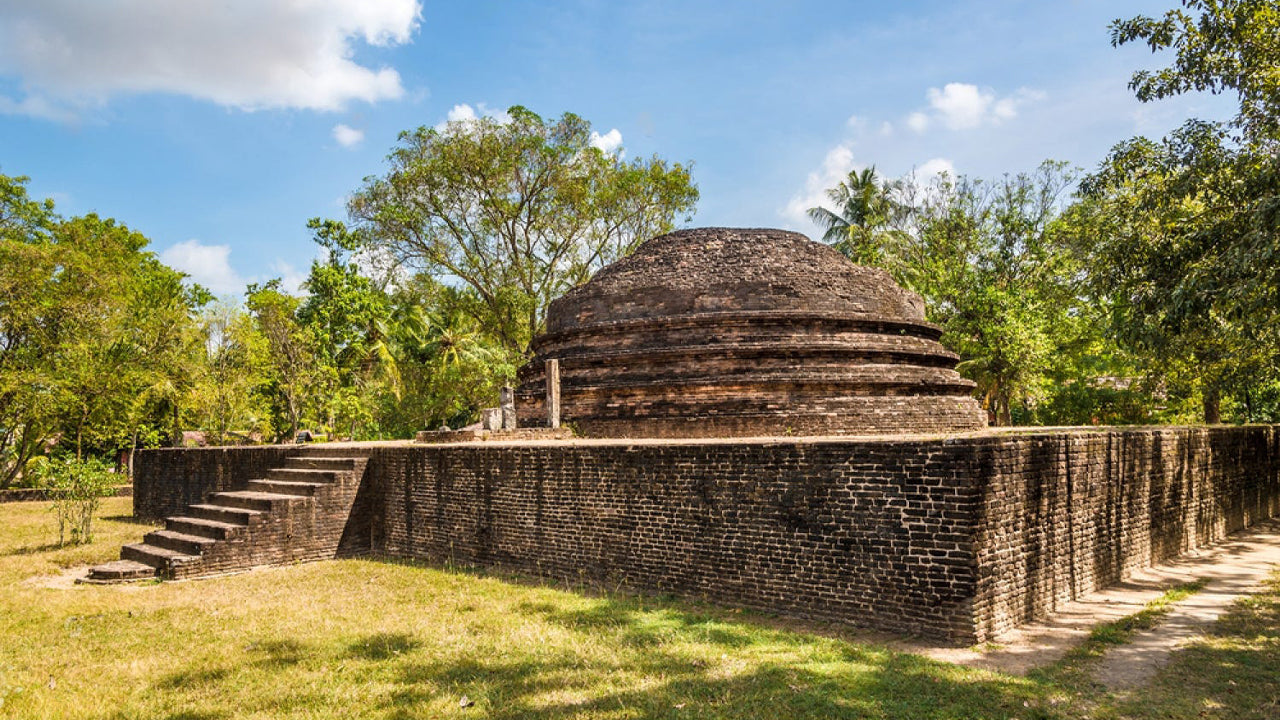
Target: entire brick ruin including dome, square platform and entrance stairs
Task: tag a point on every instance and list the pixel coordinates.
(956, 534)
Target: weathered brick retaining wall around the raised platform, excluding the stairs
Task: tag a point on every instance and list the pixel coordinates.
(956, 537)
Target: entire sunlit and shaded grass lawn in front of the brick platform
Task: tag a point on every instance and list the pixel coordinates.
(363, 639)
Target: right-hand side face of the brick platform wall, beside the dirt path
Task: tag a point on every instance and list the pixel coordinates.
(1068, 513)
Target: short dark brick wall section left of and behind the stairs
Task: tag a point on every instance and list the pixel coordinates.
(168, 480)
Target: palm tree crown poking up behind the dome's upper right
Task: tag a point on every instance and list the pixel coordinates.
(865, 207)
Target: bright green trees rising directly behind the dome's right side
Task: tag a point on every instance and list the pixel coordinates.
(993, 265)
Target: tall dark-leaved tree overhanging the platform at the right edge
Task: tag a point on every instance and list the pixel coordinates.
(1190, 259)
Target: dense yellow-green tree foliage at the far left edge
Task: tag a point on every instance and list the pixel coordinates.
(95, 344)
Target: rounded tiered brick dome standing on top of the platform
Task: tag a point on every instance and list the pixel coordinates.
(725, 332)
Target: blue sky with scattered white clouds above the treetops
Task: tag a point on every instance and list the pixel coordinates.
(218, 129)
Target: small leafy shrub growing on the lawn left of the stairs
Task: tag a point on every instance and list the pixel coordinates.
(76, 489)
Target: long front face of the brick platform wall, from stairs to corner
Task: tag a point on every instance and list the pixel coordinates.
(877, 532)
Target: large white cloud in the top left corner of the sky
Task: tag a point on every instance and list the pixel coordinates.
(248, 54)
